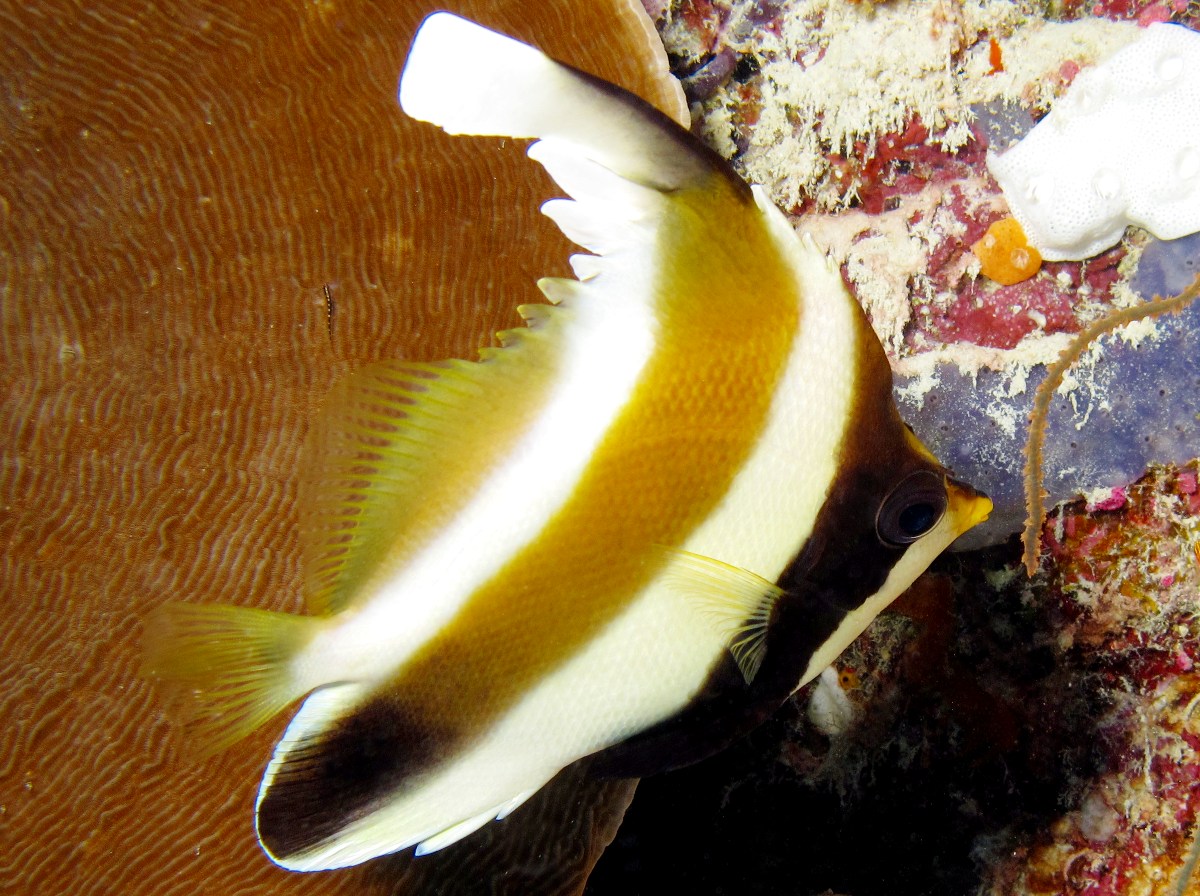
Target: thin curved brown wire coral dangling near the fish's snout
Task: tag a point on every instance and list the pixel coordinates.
(1035, 495)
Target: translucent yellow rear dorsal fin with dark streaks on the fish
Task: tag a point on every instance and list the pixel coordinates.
(401, 446)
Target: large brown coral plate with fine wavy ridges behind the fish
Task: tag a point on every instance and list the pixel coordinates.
(208, 212)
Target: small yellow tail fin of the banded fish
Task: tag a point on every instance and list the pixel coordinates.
(229, 669)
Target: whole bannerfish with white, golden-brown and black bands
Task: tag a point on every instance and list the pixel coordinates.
(622, 539)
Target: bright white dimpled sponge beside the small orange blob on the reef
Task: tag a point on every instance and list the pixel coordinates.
(1123, 147)
